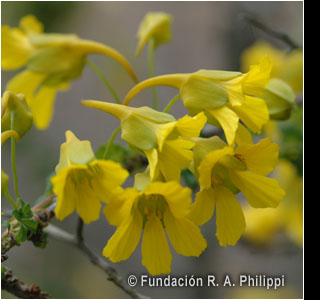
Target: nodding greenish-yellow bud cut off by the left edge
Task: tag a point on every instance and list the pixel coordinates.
(15, 113)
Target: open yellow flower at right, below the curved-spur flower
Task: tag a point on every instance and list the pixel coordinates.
(223, 172)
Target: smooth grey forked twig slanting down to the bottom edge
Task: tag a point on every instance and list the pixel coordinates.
(78, 242)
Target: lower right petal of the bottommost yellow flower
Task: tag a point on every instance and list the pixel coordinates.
(184, 235)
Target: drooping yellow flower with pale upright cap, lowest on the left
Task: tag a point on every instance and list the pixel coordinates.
(82, 182)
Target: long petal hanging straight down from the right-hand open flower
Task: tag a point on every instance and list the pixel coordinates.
(230, 219)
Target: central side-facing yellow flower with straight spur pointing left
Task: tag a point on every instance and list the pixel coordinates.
(164, 140)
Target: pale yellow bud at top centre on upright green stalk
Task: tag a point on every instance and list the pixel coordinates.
(156, 26)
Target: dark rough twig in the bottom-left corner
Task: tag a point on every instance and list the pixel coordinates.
(18, 288)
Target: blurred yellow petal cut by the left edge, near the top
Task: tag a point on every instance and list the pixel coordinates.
(15, 48)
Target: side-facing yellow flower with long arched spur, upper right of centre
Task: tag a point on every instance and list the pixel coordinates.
(225, 97)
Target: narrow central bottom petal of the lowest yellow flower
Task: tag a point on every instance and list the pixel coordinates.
(156, 255)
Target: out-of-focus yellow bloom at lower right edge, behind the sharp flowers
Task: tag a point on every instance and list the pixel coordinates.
(263, 225)
